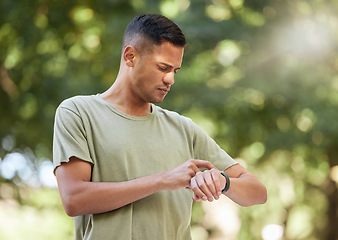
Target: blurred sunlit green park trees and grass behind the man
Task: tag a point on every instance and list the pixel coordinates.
(261, 77)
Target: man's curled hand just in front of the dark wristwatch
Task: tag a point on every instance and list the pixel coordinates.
(207, 185)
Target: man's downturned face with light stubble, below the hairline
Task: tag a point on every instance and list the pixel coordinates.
(153, 73)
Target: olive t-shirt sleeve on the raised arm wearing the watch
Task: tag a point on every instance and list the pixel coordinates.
(206, 148)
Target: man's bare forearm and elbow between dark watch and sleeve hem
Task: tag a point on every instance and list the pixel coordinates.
(246, 190)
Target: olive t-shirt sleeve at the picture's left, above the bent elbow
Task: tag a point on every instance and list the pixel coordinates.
(70, 138)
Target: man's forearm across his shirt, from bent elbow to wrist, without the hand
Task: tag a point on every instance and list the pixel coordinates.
(87, 197)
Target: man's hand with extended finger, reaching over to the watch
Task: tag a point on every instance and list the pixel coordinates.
(180, 176)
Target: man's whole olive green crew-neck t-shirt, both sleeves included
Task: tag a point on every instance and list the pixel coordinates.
(122, 147)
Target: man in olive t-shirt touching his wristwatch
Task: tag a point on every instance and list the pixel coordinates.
(127, 169)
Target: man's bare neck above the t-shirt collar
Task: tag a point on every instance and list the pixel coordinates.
(118, 96)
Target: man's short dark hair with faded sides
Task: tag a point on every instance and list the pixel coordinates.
(148, 29)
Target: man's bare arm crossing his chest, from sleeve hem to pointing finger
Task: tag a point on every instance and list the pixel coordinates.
(80, 196)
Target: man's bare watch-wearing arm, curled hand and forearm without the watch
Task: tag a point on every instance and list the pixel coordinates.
(245, 188)
